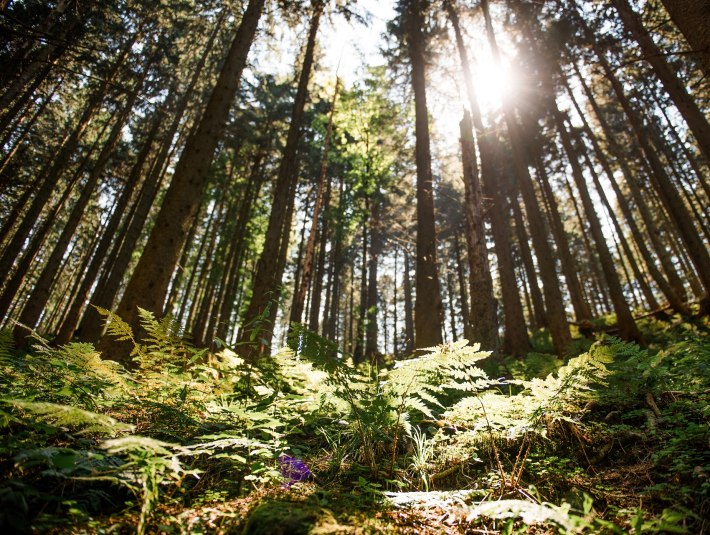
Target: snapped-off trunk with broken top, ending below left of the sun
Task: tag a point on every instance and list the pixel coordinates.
(484, 316)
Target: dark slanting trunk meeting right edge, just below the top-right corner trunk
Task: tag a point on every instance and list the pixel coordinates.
(696, 120)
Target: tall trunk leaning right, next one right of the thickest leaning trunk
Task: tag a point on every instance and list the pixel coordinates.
(264, 301)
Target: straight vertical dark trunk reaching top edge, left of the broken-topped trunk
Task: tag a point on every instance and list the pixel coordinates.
(428, 315)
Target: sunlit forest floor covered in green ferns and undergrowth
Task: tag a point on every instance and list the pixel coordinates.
(613, 439)
